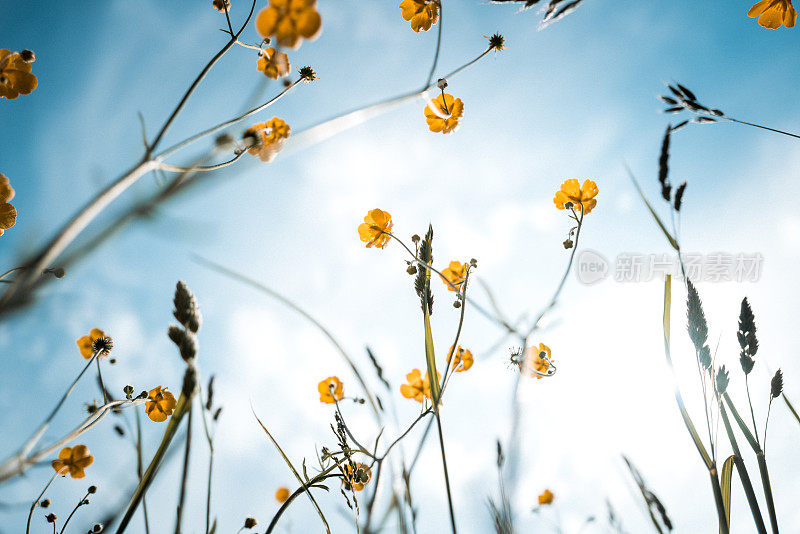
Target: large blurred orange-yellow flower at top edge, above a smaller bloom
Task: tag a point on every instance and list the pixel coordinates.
(290, 21)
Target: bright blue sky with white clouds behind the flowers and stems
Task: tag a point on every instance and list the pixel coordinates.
(574, 100)
